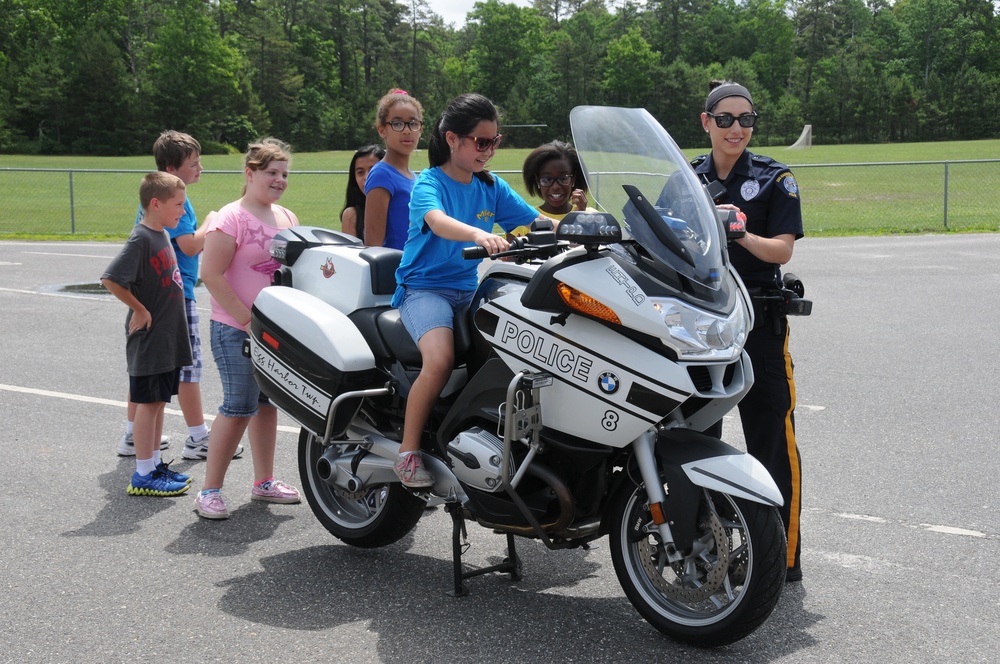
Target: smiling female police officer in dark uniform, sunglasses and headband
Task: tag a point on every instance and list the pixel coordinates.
(766, 192)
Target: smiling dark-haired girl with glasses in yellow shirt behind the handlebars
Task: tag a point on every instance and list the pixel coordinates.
(553, 173)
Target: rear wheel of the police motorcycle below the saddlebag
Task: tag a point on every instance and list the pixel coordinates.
(376, 516)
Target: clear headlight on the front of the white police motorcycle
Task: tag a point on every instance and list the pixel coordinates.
(695, 333)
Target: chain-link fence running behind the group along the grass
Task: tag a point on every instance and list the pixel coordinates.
(838, 199)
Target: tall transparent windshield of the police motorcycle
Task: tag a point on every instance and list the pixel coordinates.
(637, 173)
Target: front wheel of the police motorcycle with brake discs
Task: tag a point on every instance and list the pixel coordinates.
(721, 590)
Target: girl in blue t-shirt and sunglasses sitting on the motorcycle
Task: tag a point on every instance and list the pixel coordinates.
(454, 204)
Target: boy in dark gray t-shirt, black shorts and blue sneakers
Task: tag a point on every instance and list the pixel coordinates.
(146, 278)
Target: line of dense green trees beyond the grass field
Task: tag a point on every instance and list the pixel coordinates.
(106, 76)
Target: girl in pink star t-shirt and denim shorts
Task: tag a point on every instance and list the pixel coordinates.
(236, 266)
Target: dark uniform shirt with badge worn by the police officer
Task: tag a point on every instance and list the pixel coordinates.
(766, 192)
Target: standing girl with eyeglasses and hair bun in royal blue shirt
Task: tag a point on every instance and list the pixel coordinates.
(399, 121)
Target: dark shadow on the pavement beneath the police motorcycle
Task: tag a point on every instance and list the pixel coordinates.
(401, 598)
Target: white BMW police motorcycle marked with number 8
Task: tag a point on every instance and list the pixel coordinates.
(586, 365)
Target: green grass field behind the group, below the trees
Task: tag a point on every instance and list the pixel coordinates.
(872, 195)
